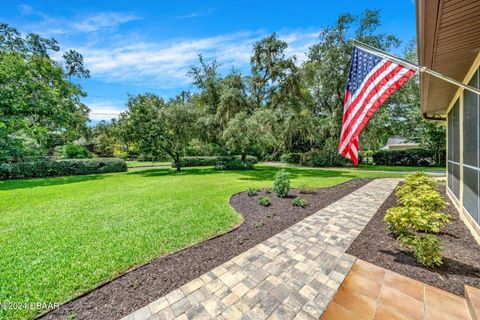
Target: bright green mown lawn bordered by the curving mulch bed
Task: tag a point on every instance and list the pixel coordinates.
(62, 236)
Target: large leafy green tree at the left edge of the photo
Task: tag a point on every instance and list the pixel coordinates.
(40, 108)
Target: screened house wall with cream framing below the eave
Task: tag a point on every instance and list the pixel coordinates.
(463, 151)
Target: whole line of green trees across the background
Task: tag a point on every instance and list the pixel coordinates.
(280, 106)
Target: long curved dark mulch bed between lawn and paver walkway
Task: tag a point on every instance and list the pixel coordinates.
(141, 286)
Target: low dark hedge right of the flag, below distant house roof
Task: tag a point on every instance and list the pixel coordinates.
(411, 157)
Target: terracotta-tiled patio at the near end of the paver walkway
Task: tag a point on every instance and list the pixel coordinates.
(372, 292)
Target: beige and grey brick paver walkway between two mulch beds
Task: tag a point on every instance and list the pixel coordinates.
(292, 275)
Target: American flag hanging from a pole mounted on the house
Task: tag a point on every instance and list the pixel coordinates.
(371, 81)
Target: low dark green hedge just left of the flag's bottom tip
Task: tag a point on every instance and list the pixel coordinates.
(314, 158)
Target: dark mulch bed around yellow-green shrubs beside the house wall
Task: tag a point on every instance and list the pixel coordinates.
(461, 262)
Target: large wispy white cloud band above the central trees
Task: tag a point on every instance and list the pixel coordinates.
(165, 64)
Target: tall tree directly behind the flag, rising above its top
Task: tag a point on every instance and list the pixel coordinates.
(326, 70)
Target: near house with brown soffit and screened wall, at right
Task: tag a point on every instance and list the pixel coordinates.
(449, 42)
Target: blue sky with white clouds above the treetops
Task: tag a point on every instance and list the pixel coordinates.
(148, 46)
